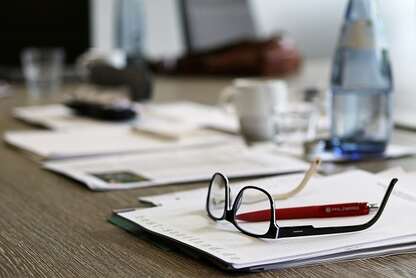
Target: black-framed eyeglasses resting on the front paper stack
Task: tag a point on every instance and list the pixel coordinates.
(220, 207)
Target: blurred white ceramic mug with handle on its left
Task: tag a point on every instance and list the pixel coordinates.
(255, 102)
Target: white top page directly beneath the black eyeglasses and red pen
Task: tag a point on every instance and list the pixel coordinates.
(191, 226)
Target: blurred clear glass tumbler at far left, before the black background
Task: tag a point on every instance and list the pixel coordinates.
(42, 69)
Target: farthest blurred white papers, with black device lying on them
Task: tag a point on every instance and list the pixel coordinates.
(189, 114)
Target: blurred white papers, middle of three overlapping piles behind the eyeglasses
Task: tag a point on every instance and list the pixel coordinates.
(104, 141)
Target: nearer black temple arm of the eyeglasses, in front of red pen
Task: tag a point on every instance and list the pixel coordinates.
(310, 230)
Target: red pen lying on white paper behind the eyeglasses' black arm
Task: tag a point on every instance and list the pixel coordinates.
(320, 211)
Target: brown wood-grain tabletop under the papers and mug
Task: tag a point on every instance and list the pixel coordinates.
(51, 226)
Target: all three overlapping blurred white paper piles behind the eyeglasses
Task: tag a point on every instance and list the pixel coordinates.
(170, 143)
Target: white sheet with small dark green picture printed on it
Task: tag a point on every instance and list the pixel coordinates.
(174, 166)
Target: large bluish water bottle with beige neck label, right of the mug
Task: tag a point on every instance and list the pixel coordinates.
(361, 84)
